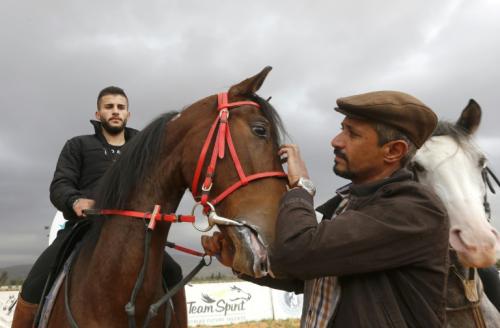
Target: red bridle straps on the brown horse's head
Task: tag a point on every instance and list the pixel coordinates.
(223, 136)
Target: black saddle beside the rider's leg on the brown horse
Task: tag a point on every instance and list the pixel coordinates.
(72, 238)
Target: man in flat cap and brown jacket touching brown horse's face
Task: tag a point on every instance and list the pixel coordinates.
(379, 257)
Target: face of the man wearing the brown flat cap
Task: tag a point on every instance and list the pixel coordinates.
(358, 157)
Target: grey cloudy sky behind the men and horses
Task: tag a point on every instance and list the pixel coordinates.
(56, 55)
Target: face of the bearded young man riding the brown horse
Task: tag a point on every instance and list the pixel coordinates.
(113, 113)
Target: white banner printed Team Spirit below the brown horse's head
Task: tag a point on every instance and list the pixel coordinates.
(227, 303)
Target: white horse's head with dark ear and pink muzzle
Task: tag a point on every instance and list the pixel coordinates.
(453, 167)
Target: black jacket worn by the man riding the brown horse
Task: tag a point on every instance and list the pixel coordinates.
(82, 162)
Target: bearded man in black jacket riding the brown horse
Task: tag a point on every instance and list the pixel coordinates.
(82, 162)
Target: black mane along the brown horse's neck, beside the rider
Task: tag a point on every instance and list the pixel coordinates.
(138, 156)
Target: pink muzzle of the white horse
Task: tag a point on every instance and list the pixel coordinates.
(476, 251)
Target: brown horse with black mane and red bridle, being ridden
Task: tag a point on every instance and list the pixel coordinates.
(157, 167)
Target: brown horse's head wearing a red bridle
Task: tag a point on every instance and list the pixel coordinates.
(242, 182)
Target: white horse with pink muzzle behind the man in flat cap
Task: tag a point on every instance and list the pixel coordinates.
(455, 168)
